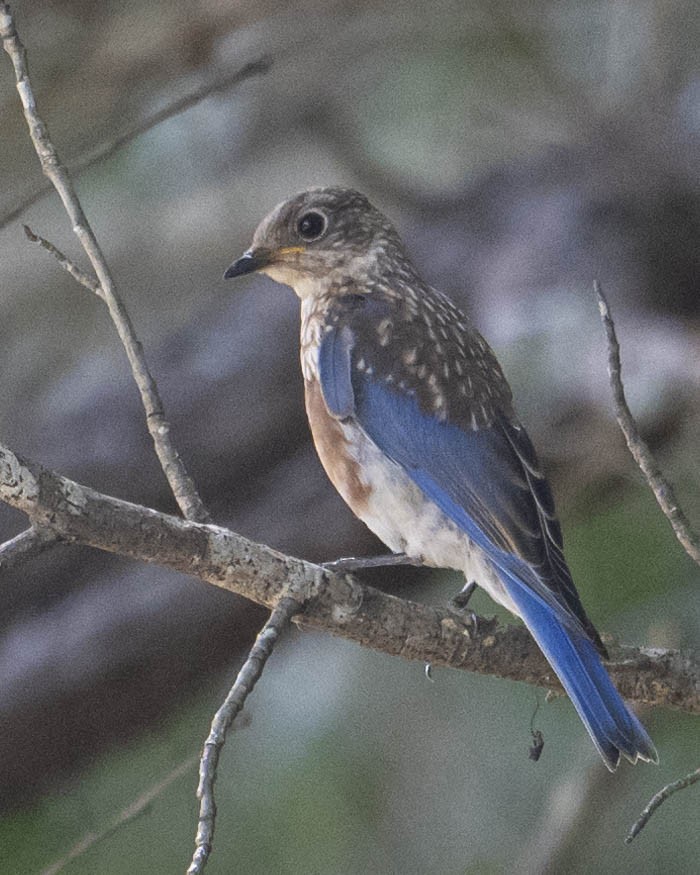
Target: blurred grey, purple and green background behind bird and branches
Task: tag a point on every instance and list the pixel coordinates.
(523, 149)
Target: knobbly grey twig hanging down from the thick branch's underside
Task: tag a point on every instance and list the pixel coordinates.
(246, 679)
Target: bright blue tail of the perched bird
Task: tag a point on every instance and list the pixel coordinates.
(612, 726)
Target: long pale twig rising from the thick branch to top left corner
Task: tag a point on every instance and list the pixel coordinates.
(180, 482)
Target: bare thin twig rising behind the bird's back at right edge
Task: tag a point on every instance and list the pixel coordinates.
(637, 447)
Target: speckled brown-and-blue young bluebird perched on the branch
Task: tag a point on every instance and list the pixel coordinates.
(413, 421)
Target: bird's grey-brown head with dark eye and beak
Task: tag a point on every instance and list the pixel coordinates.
(320, 237)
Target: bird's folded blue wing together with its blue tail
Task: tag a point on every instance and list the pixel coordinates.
(488, 482)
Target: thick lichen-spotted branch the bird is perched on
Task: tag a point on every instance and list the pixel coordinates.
(335, 603)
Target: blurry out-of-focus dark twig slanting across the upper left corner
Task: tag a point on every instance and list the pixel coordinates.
(105, 150)
